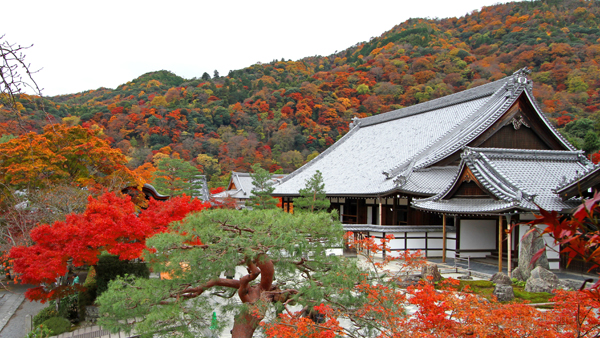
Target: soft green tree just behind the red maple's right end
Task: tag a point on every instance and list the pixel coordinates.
(175, 176)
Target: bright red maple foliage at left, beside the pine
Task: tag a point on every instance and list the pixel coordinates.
(109, 223)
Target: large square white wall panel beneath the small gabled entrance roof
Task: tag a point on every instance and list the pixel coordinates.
(477, 234)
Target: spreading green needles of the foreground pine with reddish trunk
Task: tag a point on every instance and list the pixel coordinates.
(289, 239)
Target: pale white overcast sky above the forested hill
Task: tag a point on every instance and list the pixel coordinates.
(82, 45)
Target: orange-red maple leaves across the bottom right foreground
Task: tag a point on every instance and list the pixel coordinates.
(437, 310)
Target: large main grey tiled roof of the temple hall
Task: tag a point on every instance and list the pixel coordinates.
(395, 151)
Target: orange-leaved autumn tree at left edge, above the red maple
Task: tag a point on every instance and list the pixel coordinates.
(62, 154)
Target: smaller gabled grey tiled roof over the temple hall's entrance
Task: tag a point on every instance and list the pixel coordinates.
(514, 178)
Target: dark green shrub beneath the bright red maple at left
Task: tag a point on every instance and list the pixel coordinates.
(109, 267)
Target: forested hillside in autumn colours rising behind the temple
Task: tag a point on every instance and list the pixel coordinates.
(283, 113)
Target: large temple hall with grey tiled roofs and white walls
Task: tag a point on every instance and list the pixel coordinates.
(468, 163)
